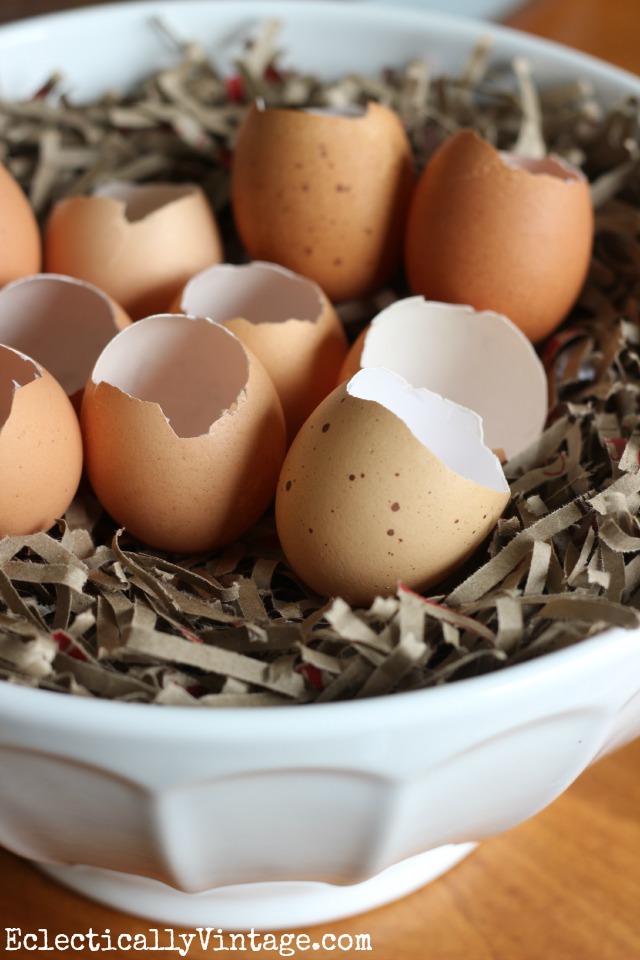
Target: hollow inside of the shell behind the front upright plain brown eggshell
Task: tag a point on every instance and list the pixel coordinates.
(260, 292)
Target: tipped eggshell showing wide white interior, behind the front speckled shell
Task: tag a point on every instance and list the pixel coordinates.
(479, 359)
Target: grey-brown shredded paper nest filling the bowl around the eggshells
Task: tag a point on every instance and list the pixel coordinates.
(86, 610)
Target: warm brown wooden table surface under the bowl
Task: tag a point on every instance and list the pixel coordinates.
(563, 886)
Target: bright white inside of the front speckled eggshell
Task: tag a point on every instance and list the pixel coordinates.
(450, 431)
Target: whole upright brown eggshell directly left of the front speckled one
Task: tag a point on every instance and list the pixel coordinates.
(184, 433)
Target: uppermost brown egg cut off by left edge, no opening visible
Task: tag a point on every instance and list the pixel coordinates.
(20, 242)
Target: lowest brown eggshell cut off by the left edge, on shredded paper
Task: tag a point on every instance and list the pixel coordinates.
(40, 446)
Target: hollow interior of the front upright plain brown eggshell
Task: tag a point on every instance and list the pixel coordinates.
(194, 369)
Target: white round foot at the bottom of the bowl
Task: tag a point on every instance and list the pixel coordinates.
(257, 906)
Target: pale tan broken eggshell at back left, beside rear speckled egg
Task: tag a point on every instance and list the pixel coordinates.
(137, 242)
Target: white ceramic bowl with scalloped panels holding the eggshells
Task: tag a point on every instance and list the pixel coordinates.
(280, 817)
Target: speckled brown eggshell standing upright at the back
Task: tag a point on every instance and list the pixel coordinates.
(324, 193)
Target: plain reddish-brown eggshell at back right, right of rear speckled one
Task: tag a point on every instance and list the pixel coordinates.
(500, 232)
